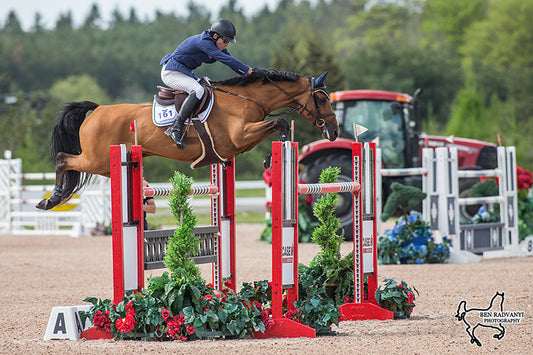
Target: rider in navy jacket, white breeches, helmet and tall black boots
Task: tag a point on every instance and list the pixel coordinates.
(207, 47)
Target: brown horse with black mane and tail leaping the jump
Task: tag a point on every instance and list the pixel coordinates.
(237, 123)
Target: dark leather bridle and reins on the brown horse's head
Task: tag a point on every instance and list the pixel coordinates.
(319, 122)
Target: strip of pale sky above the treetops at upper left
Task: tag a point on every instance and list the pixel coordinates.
(51, 9)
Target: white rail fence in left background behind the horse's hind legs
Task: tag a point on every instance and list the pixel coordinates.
(18, 214)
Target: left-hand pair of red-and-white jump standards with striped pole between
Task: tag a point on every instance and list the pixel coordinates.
(127, 219)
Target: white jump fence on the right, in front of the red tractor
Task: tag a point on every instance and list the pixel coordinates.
(440, 176)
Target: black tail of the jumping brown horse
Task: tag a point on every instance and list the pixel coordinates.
(66, 139)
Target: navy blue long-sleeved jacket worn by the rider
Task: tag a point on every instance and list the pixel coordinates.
(199, 49)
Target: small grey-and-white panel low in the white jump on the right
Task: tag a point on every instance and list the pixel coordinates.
(481, 237)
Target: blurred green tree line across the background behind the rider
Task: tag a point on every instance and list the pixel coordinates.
(473, 59)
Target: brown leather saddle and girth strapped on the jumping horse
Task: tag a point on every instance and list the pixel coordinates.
(167, 97)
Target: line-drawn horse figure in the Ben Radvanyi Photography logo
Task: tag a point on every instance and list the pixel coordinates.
(474, 317)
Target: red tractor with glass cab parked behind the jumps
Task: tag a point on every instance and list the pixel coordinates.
(391, 119)
